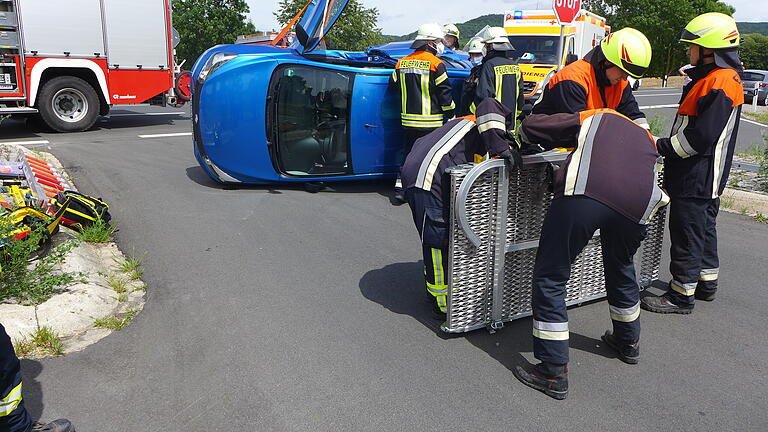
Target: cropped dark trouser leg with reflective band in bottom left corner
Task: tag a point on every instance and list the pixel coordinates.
(13, 416)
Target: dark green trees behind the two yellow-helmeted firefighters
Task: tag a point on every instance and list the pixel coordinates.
(661, 21)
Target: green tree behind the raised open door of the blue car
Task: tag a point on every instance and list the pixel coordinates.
(355, 30)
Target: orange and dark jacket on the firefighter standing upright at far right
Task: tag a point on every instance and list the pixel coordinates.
(698, 155)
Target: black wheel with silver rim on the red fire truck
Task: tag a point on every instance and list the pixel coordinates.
(68, 104)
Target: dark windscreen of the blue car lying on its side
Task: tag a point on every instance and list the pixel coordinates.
(312, 110)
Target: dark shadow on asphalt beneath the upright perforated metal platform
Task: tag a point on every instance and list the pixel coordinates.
(400, 288)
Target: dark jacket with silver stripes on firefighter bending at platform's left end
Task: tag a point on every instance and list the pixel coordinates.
(455, 143)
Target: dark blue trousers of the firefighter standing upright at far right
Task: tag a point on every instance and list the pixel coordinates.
(694, 263)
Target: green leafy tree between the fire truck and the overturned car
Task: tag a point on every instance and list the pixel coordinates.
(204, 23)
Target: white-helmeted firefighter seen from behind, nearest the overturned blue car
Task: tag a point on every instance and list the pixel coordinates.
(425, 92)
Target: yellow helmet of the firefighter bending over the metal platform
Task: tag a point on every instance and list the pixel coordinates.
(629, 50)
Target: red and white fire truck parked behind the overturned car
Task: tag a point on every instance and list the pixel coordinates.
(67, 62)
